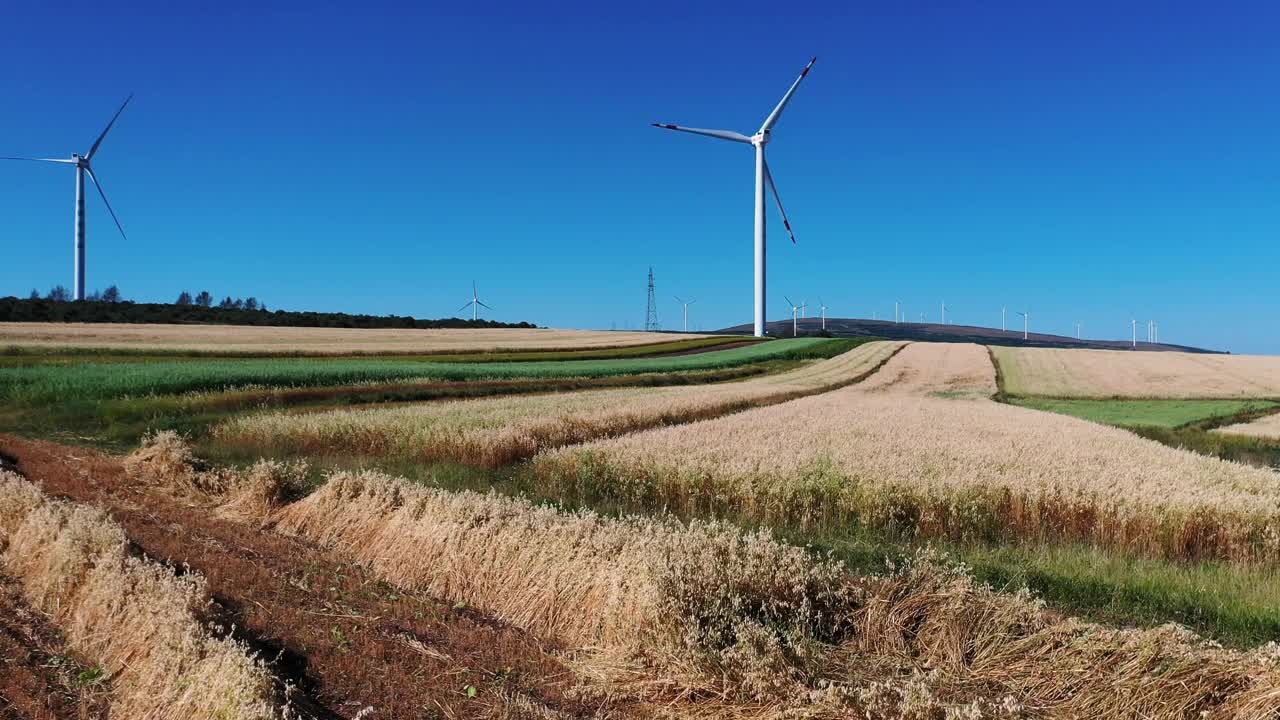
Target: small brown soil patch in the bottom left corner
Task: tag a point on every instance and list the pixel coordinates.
(39, 678)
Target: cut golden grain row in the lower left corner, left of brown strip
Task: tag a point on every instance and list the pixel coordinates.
(136, 618)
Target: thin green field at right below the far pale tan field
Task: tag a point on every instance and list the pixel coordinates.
(1145, 413)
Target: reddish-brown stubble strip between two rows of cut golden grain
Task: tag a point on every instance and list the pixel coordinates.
(345, 640)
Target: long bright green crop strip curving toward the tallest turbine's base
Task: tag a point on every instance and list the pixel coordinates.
(107, 381)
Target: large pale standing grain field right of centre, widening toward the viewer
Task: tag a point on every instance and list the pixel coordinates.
(952, 467)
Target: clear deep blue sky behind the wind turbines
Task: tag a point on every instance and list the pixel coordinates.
(1087, 161)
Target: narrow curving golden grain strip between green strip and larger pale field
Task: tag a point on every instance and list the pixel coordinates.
(499, 431)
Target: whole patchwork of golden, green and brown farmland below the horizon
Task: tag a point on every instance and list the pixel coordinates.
(780, 530)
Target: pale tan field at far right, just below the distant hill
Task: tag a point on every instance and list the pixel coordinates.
(1117, 373)
